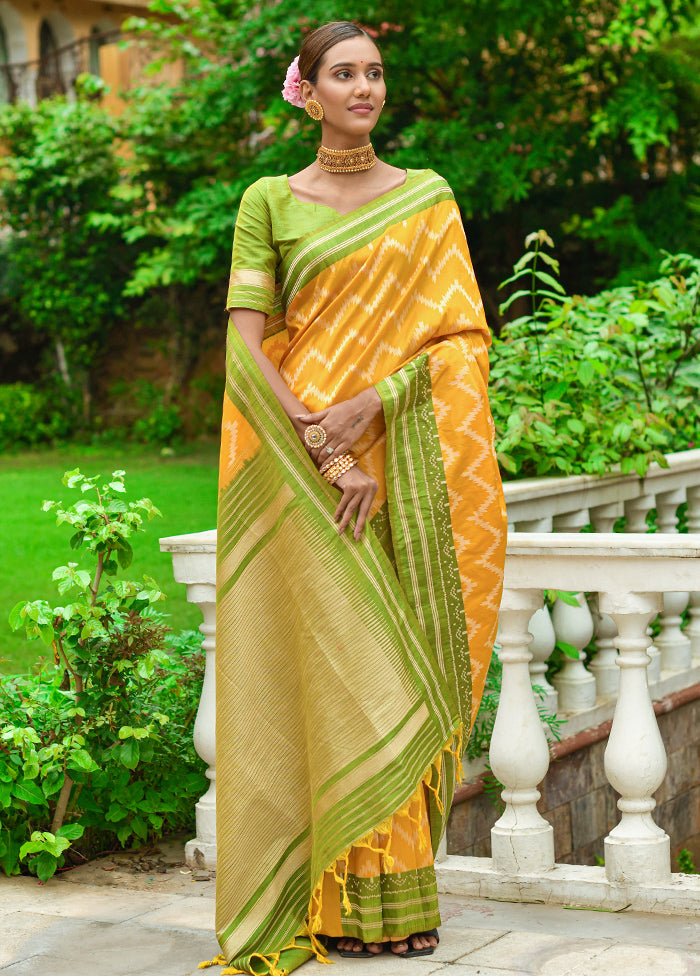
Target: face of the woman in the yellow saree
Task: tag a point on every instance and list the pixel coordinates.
(350, 87)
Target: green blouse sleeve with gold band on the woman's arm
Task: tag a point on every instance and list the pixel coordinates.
(254, 259)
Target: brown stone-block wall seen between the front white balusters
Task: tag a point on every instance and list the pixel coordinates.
(581, 805)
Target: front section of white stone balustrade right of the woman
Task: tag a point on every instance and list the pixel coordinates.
(627, 572)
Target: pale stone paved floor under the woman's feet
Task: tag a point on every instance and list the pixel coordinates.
(73, 928)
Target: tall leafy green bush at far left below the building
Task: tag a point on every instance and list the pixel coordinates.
(65, 274)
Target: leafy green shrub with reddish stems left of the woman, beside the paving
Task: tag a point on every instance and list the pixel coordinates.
(98, 747)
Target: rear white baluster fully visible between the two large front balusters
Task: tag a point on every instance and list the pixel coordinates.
(574, 625)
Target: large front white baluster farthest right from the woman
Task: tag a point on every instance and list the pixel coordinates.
(637, 850)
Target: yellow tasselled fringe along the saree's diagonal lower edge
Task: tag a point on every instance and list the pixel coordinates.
(454, 747)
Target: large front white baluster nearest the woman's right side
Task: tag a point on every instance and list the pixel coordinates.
(521, 841)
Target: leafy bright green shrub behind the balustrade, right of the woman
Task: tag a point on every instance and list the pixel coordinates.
(587, 384)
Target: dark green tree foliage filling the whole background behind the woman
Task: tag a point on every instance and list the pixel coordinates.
(583, 110)
